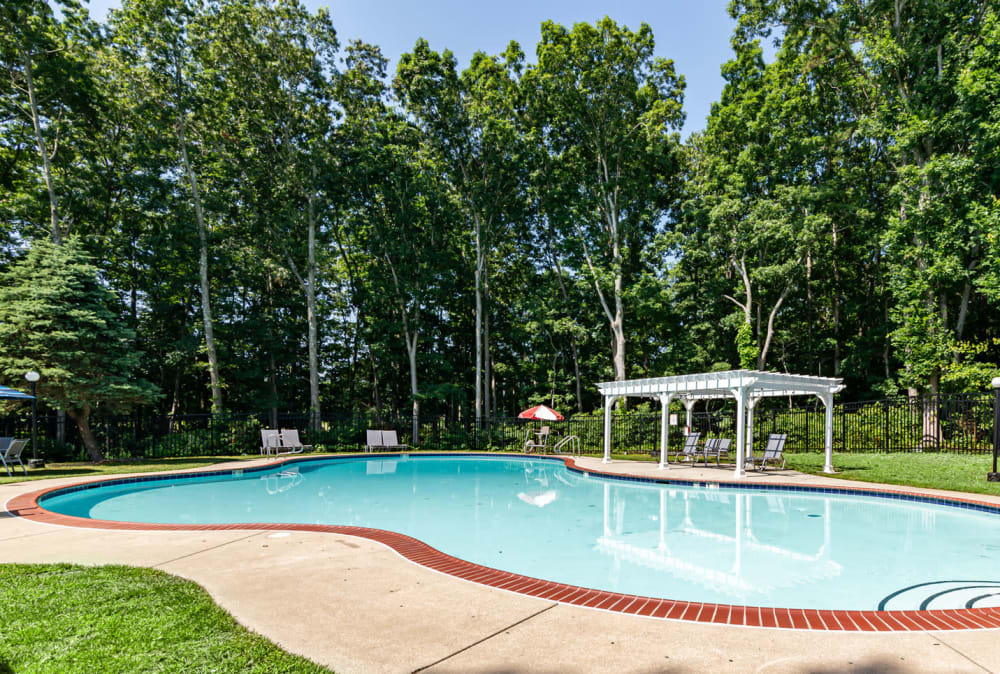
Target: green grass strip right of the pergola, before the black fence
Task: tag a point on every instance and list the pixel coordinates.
(957, 472)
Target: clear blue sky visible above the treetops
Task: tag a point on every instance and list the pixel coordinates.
(694, 33)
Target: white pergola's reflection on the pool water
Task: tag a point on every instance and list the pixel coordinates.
(709, 538)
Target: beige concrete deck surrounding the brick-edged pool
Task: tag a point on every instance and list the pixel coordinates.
(358, 606)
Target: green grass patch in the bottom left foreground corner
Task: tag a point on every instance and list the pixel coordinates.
(65, 618)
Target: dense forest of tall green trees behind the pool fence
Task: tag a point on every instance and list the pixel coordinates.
(210, 206)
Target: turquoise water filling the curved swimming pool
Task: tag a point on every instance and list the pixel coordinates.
(535, 517)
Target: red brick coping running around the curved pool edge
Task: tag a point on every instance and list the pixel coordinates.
(27, 505)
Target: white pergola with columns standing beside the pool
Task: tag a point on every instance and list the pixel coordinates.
(746, 386)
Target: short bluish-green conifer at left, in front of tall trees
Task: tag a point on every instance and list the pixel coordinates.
(57, 318)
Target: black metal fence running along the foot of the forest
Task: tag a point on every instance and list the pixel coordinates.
(957, 423)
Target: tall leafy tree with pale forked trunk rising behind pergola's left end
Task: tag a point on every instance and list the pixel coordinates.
(609, 111)
